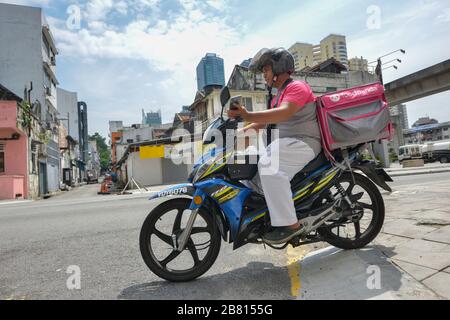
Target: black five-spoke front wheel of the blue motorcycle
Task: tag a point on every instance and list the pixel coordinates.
(165, 224)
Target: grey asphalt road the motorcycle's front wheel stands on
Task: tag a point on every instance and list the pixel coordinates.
(40, 241)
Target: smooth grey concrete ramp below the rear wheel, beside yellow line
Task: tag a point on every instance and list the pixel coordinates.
(365, 274)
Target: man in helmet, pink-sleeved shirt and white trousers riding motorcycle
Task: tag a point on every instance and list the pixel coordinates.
(293, 114)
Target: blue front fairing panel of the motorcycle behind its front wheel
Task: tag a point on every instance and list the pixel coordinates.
(232, 208)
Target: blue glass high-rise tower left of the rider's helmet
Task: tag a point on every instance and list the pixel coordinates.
(210, 72)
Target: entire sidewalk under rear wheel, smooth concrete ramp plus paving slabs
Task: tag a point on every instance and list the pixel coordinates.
(411, 254)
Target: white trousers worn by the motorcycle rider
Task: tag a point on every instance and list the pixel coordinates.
(280, 162)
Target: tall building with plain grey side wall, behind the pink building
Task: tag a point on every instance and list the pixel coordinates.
(28, 61)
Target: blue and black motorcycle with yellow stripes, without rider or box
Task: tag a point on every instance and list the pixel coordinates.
(181, 238)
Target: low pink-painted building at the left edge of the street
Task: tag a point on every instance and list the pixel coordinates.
(15, 178)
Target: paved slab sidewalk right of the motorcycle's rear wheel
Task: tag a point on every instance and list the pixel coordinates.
(416, 233)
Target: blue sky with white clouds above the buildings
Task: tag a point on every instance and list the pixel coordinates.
(127, 55)
